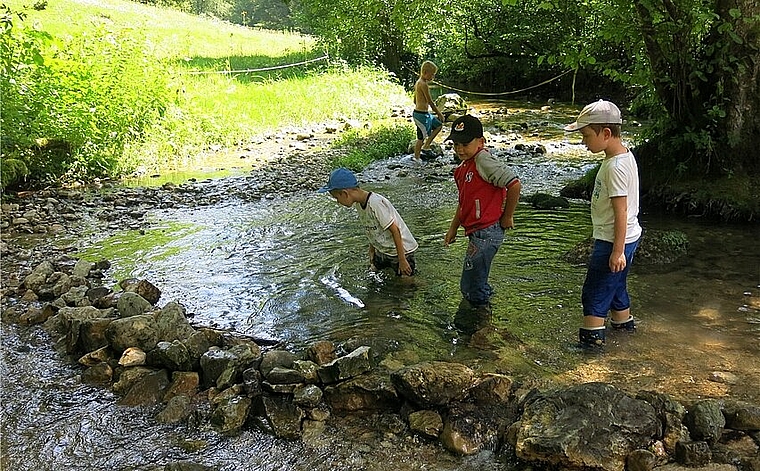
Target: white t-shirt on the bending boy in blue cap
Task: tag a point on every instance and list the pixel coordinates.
(377, 218)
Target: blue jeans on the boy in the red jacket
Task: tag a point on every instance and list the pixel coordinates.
(481, 250)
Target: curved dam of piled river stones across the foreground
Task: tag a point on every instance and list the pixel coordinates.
(151, 355)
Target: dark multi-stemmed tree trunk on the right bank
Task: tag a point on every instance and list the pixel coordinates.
(705, 69)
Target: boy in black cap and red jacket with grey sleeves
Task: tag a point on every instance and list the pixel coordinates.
(488, 195)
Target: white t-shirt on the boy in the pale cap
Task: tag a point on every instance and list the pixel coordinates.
(618, 176)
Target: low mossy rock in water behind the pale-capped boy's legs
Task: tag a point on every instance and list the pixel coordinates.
(656, 248)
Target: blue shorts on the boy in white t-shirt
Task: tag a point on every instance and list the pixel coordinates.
(604, 290)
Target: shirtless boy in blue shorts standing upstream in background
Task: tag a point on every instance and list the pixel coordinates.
(427, 125)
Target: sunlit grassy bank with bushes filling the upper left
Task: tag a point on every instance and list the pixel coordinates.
(126, 85)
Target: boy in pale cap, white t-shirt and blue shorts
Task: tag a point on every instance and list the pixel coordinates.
(616, 229)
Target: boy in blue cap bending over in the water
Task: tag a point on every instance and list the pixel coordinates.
(387, 233)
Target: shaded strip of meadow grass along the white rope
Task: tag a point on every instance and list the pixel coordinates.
(252, 69)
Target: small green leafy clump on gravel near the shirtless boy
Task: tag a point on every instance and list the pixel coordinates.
(365, 146)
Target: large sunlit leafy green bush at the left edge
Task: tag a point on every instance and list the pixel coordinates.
(72, 115)
